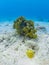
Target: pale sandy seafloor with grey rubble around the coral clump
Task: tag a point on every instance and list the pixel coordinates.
(13, 50)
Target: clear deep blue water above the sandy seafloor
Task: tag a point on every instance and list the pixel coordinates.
(32, 9)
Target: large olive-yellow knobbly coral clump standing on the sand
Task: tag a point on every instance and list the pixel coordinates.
(25, 27)
